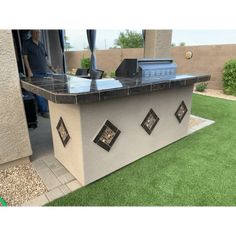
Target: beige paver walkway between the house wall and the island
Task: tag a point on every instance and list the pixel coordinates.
(55, 176)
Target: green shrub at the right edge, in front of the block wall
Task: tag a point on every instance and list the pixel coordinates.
(229, 77)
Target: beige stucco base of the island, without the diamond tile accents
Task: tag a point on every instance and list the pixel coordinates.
(87, 161)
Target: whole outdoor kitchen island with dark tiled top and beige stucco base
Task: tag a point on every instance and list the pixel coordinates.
(99, 126)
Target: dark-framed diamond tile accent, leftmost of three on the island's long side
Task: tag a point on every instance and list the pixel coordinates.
(107, 136)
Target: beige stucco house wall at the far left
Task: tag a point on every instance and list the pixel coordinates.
(14, 136)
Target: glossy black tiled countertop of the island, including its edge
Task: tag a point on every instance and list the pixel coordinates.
(72, 89)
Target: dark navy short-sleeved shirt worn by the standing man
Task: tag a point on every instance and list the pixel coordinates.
(36, 56)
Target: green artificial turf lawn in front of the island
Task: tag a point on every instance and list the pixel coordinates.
(199, 170)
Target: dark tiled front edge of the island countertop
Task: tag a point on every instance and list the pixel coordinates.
(106, 94)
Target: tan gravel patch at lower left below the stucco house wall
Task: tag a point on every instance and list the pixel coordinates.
(19, 184)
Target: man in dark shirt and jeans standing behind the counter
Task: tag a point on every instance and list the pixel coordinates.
(37, 66)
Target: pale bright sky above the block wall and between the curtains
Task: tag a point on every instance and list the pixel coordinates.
(105, 38)
